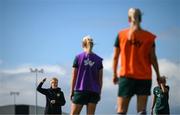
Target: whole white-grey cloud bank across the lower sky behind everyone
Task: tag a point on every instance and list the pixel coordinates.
(23, 81)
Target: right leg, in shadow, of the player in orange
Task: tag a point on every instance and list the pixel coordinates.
(141, 104)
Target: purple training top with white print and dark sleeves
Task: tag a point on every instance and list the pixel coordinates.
(88, 66)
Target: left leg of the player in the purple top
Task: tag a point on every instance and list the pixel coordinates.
(75, 109)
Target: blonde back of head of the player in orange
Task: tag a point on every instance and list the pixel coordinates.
(135, 15)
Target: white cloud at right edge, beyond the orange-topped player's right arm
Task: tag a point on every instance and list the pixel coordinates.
(172, 71)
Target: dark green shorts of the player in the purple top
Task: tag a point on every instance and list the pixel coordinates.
(85, 97)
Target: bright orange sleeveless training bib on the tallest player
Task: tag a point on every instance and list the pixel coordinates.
(135, 54)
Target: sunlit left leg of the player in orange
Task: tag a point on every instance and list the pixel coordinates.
(123, 103)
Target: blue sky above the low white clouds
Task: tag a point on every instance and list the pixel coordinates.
(44, 33)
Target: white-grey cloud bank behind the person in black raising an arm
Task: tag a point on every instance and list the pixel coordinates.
(20, 79)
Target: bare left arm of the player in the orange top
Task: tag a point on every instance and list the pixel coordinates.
(115, 64)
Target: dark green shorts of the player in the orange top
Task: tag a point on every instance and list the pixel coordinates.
(129, 87)
